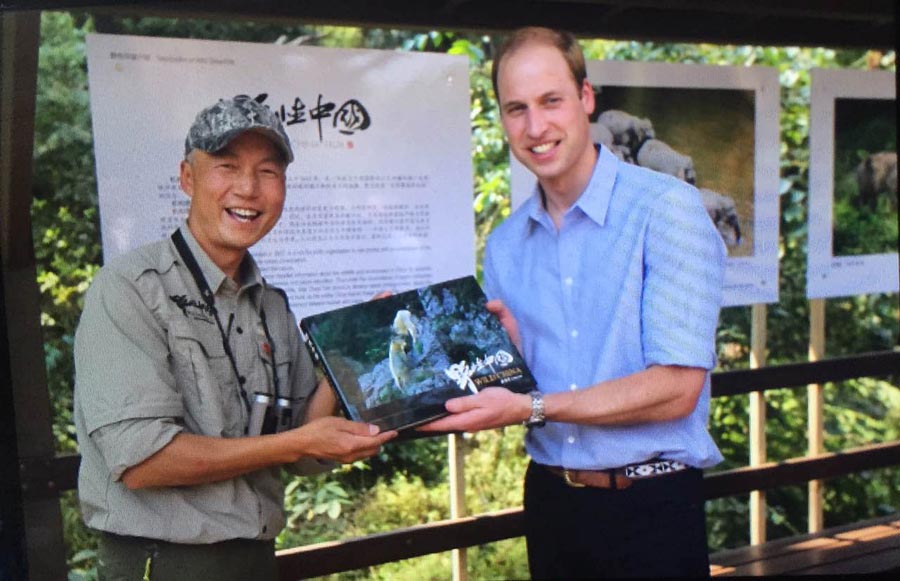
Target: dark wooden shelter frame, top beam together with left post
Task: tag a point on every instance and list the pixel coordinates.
(31, 523)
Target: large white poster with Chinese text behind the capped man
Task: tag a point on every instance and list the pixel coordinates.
(379, 196)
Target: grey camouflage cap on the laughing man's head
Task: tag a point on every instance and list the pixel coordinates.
(218, 124)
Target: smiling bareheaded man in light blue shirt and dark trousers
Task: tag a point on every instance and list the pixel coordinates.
(609, 278)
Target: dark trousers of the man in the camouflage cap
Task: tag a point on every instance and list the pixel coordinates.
(135, 558)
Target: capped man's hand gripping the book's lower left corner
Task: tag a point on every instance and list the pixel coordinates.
(338, 439)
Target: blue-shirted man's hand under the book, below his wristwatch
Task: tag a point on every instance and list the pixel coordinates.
(492, 407)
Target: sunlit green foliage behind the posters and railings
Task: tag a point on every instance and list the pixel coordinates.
(407, 483)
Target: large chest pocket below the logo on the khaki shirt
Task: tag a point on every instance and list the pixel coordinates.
(203, 374)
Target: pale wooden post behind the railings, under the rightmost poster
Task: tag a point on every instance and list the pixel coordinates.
(815, 415)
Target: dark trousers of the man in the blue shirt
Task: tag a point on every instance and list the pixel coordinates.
(654, 528)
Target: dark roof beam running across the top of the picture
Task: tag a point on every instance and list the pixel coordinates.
(833, 23)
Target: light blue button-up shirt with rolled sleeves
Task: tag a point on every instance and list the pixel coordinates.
(633, 278)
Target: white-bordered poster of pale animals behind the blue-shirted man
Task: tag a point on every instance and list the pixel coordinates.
(713, 126)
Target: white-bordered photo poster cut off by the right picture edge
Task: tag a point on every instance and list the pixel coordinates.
(852, 184)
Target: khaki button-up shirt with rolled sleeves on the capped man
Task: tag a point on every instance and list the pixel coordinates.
(150, 363)
